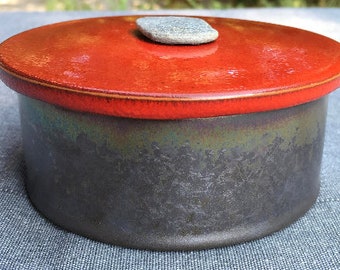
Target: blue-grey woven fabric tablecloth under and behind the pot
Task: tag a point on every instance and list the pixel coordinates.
(29, 241)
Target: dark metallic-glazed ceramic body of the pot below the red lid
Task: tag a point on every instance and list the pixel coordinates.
(173, 184)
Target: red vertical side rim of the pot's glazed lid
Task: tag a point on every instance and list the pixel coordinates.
(163, 110)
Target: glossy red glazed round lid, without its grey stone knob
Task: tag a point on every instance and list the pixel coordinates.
(104, 65)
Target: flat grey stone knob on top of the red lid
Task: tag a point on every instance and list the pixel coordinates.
(177, 30)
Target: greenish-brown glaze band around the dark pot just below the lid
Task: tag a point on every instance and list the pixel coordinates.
(296, 126)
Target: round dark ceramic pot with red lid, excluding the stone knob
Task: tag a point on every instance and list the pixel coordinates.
(166, 147)
